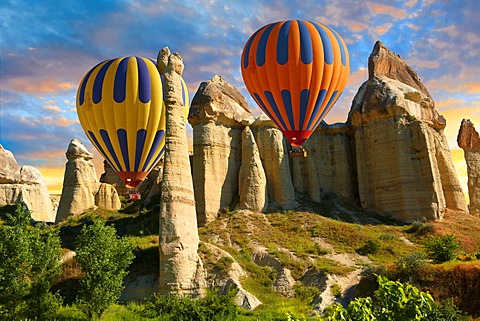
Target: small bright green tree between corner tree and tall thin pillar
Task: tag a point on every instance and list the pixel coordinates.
(103, 258)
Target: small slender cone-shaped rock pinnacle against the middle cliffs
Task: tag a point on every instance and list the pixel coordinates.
(251, 179)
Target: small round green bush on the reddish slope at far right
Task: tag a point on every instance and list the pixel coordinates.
(442, 249)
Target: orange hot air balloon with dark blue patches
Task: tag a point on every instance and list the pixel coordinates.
(295, 70)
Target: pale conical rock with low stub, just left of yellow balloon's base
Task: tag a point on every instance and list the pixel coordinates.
(81, 189)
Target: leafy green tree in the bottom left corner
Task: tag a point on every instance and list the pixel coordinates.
(29, 262)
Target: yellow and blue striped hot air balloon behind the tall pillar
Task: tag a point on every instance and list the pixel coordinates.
(120, 107)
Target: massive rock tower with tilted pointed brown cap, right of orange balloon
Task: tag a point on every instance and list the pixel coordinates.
(404, 165)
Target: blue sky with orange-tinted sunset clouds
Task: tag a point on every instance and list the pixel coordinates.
(47, 46)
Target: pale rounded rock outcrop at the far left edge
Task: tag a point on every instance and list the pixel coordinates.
(24, 184)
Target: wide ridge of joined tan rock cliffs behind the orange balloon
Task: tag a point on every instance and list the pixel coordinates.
(391, 156)
